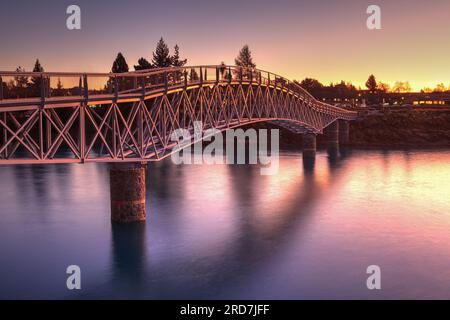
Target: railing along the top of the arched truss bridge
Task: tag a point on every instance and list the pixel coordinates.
(36, 87)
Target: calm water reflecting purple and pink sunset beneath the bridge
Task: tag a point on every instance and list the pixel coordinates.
(228, 232)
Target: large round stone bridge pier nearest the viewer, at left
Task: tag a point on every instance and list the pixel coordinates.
(127, 188)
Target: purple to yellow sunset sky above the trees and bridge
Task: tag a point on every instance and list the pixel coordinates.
(324, 39)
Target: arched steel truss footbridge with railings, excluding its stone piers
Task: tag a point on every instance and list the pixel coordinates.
(129, 117)
